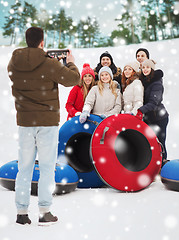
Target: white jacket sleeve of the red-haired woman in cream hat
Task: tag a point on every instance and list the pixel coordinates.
(138, 96)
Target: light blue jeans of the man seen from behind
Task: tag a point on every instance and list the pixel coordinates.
(33, 140)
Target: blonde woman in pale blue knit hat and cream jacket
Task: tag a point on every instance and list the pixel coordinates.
(104, 99)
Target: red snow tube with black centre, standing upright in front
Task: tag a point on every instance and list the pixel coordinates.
(126, 152)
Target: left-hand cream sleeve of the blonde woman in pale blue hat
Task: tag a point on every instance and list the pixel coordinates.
(90, 100)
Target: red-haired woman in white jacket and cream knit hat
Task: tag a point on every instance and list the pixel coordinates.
(132, 88)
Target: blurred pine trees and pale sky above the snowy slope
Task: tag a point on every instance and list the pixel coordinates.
(135, 20)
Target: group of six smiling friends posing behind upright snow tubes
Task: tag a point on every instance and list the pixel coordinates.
(137, 90)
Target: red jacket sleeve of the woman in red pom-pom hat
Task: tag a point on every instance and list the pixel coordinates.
(71, 102)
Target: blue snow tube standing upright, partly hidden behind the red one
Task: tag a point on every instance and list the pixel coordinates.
(74, 144)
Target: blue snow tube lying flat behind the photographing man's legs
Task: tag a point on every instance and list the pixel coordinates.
(65, 177)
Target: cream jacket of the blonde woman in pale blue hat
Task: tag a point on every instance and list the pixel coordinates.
(105, 104)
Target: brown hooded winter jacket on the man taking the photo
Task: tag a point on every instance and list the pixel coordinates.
(35, 78)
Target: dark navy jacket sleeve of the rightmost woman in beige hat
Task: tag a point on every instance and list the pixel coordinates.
(155, 98)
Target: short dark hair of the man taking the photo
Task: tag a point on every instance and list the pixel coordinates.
(34, 36)
